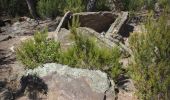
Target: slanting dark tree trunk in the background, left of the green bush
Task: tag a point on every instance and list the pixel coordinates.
(32, 8)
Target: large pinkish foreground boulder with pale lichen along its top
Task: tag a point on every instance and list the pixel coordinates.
(65, 83)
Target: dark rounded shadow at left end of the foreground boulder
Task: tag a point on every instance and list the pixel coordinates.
(33, 85)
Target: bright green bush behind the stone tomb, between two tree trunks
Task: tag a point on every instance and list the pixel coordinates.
(52, 8)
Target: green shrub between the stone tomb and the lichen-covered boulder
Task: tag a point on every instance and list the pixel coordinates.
(87, 53)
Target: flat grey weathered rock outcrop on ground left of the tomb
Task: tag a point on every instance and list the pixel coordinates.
(27, 26)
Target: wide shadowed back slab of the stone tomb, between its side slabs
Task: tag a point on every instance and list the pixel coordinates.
(99, 21)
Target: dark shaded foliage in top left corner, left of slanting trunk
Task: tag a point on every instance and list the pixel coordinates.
(13, 7)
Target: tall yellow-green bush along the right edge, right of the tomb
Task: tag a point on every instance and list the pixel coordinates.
(150, 67)
